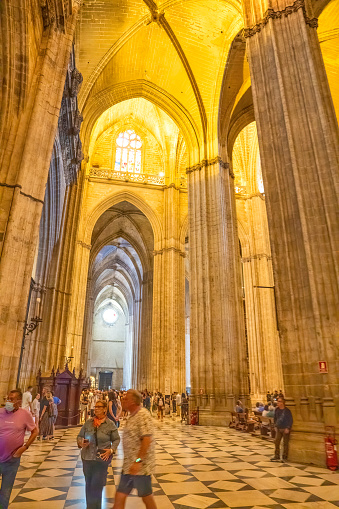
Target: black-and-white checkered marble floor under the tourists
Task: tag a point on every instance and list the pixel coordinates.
(197, 467)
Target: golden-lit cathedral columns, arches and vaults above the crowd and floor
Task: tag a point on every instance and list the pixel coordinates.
(169, 201)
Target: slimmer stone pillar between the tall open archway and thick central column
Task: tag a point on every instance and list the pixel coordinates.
(168, 327)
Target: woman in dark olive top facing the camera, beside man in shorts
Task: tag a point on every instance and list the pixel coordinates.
(98, 440)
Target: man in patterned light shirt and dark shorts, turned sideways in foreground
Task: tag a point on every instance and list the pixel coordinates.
(139, 455)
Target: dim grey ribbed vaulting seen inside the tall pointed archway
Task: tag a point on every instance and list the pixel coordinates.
(121, 260)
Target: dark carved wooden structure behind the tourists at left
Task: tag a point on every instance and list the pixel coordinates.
(67, 387)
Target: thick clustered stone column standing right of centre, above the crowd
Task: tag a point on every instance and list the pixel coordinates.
(218, 346)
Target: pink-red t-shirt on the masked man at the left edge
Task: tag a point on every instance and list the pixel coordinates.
(12, 431)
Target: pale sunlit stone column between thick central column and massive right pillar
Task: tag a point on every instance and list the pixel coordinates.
(262, 328)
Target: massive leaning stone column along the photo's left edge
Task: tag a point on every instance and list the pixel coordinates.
(26, 148)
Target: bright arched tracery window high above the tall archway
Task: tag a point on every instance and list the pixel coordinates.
(128, 152)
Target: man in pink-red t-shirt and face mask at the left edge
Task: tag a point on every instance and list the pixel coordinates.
(14, 421)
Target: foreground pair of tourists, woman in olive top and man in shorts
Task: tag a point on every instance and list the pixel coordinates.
(98, 440)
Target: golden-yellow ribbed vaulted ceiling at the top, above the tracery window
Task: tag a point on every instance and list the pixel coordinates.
(178, 49)
